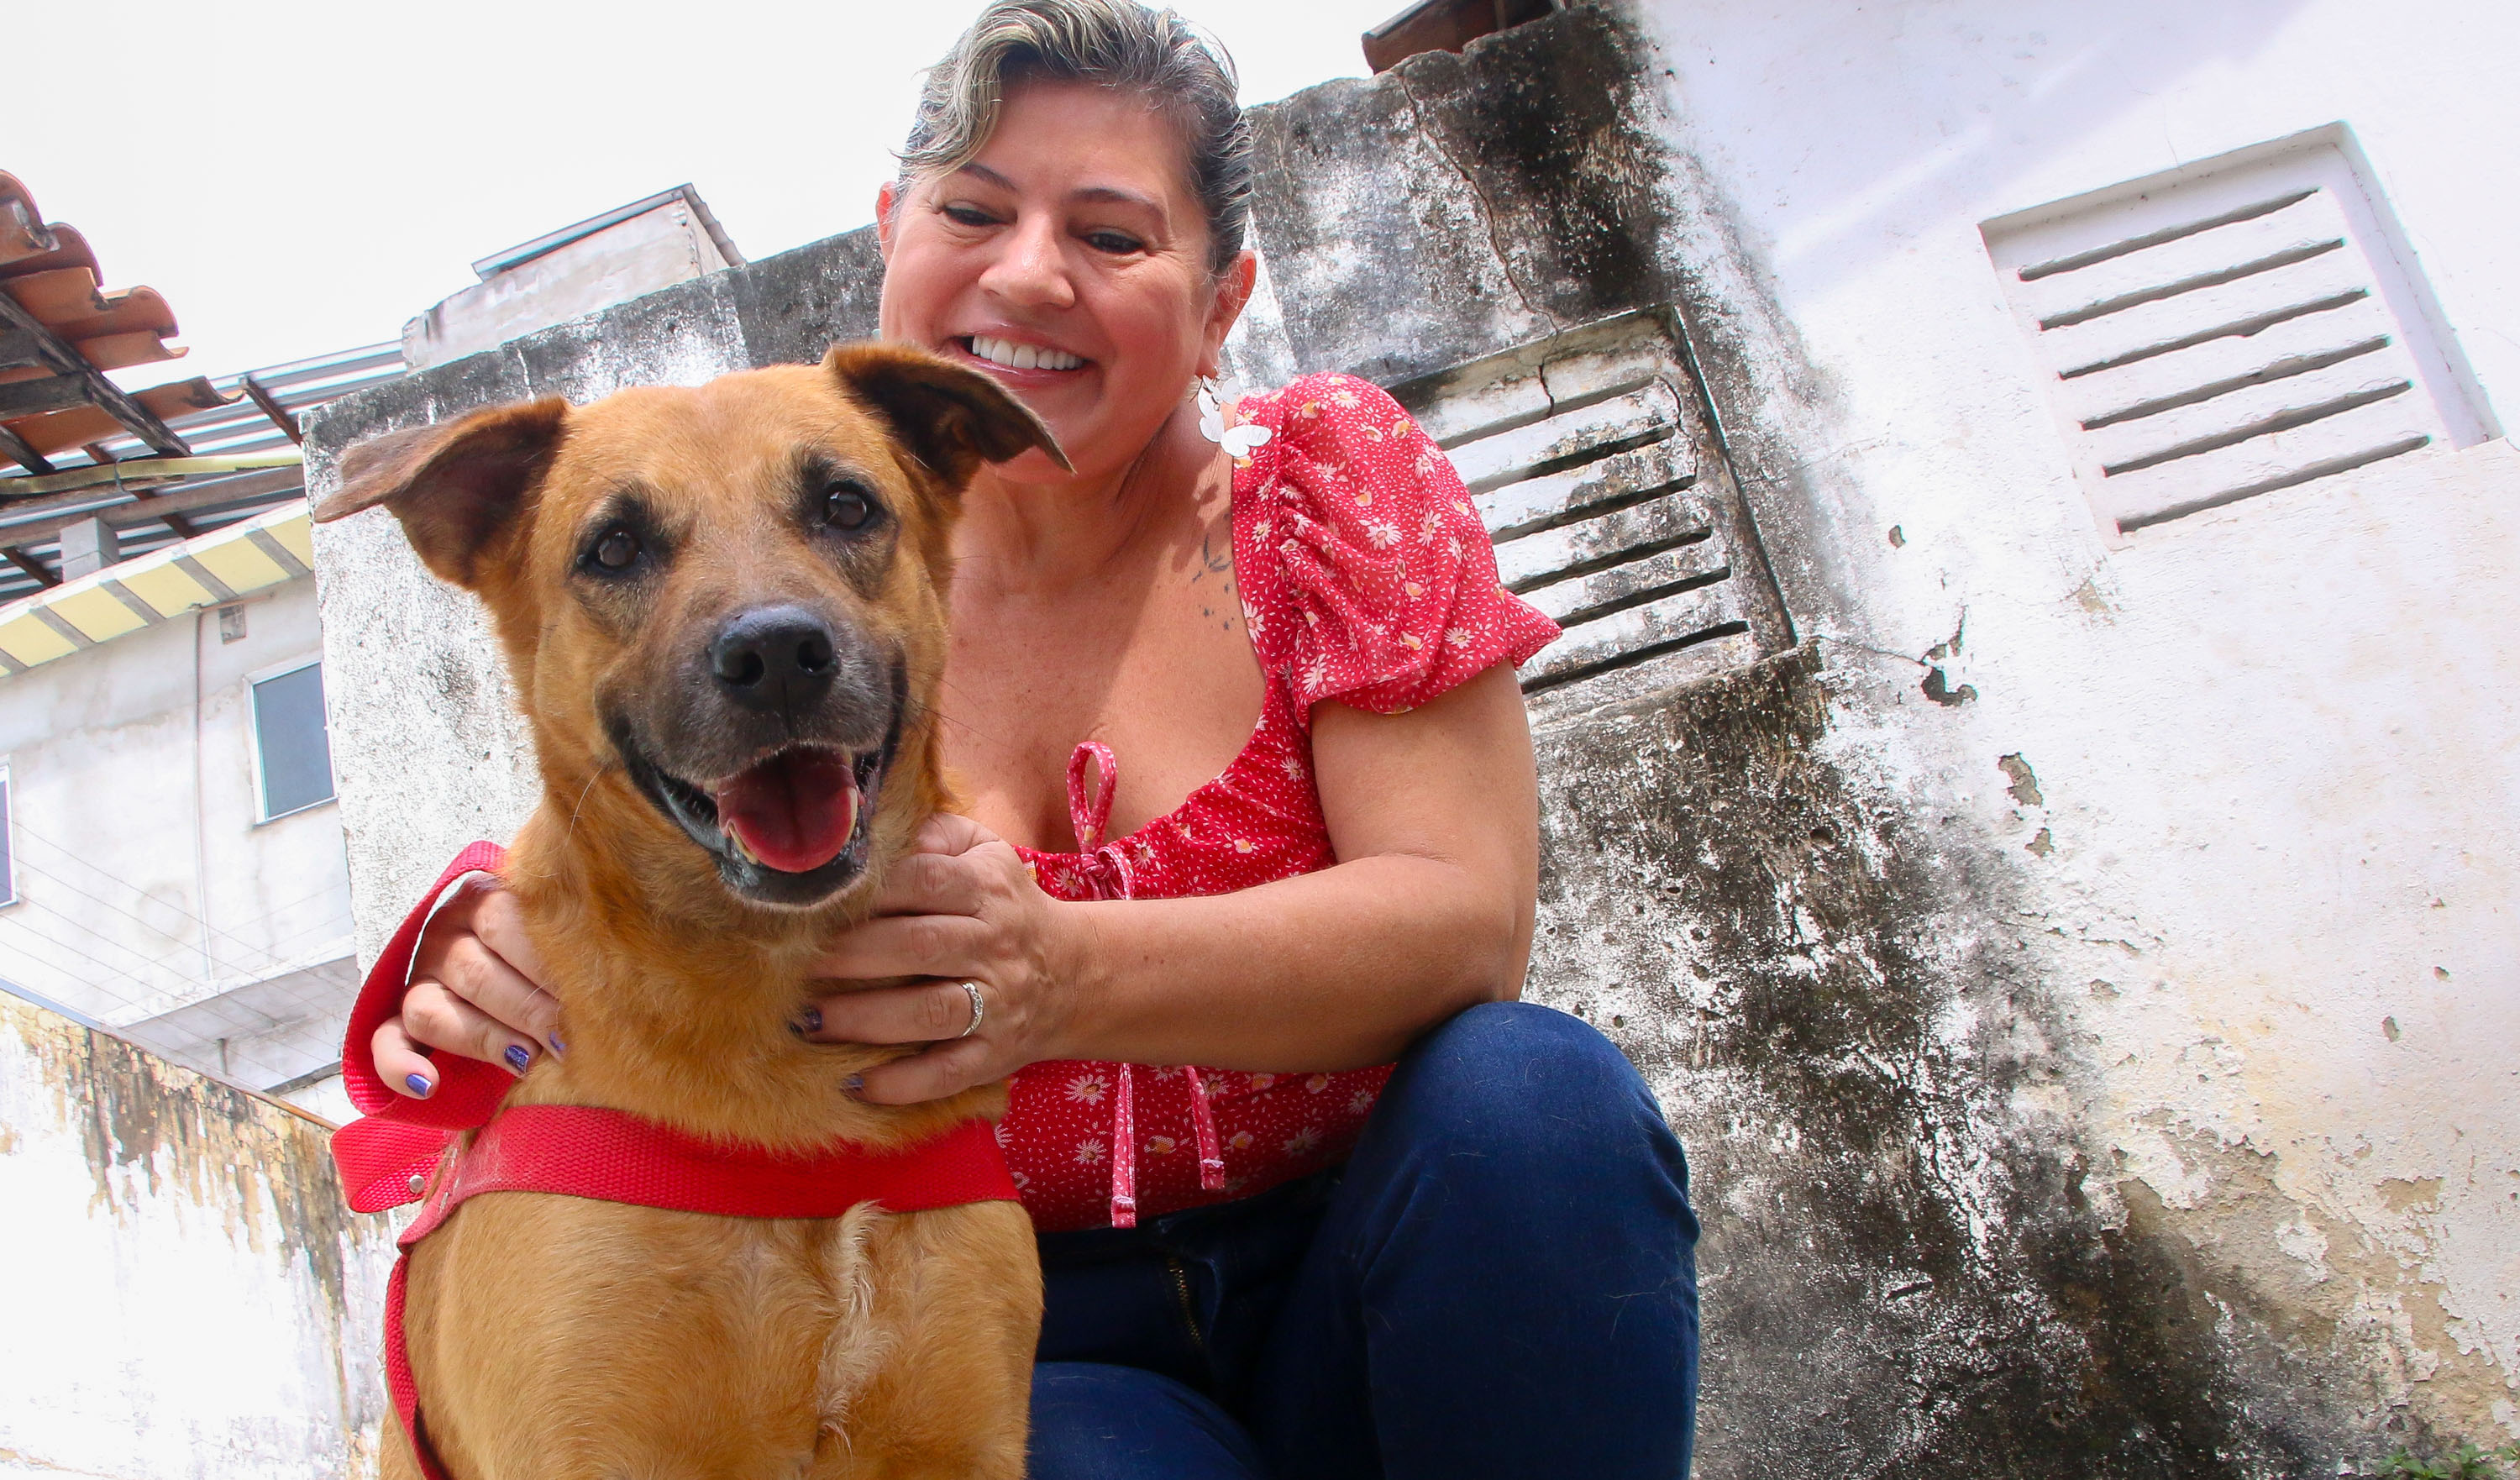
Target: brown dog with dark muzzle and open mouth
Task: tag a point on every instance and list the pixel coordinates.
(724, 616)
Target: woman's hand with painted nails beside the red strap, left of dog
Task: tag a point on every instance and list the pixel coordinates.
(472, 992)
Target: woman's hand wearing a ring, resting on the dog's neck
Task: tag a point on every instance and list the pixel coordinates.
(961, 906)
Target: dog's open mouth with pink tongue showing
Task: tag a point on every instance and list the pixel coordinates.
(785, 831)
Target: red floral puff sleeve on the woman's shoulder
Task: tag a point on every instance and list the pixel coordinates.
(1375, 581)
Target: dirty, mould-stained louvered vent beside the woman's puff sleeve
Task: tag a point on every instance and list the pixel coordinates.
(1612, 508)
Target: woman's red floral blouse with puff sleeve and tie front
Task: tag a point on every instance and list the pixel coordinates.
(1367, 576)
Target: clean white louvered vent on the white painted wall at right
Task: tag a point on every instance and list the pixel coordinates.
(2234, 329)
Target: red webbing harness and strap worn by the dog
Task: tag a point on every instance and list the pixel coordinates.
(404, 1151)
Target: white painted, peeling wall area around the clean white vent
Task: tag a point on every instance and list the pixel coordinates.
(2274, 745)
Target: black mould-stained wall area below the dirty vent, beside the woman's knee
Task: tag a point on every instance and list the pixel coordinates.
(1906, 1257)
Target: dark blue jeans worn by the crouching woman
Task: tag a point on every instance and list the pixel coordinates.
(1501, 1282)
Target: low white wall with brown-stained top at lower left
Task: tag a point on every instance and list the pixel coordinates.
(188, 1292)
